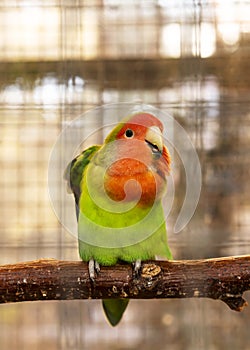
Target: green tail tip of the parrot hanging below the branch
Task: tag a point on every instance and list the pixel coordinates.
(114, 309)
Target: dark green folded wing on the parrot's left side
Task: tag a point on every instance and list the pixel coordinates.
(75, 170)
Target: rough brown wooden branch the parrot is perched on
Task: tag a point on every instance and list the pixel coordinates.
(225, 279)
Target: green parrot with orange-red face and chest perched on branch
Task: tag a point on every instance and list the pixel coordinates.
(118, 189)
